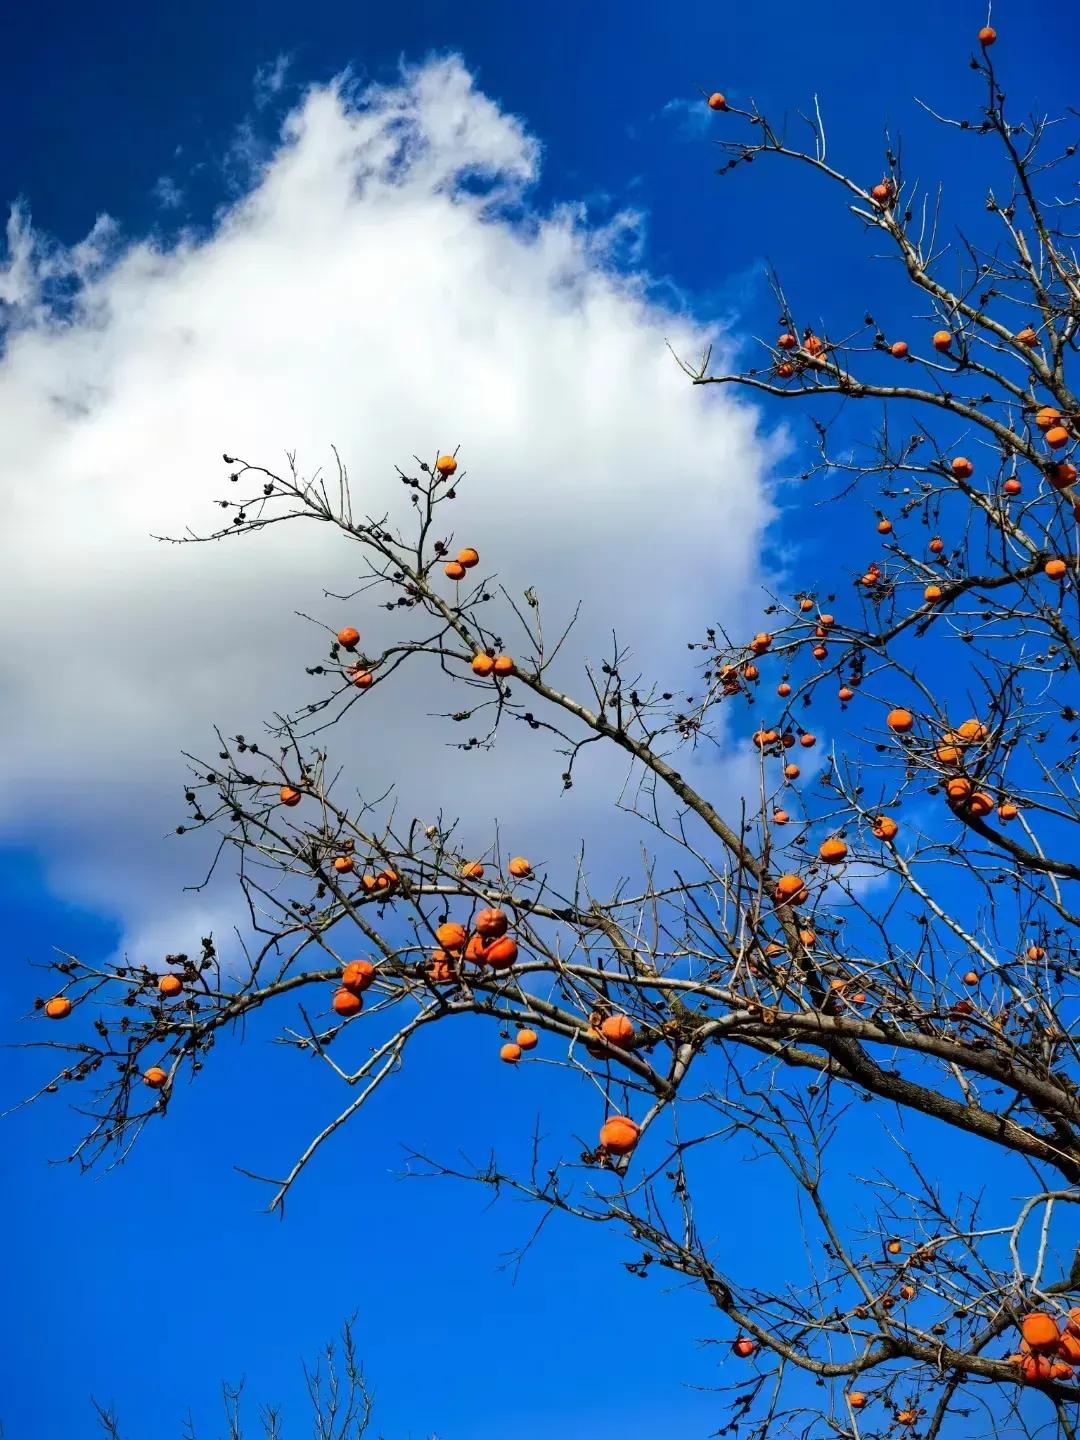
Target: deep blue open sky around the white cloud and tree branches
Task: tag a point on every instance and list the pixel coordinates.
(152, 1284)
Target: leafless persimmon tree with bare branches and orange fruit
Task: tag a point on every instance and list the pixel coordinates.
(888, 941)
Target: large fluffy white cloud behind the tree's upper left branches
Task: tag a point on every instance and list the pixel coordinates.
(385, 286)
